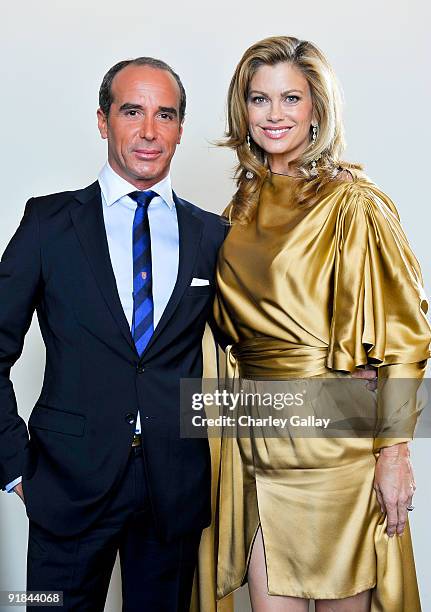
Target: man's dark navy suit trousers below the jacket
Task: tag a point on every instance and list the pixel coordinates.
(156, 576)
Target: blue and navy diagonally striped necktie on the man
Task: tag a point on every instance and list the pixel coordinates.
(143, 307)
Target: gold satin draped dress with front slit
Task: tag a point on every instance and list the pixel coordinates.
(313, 292)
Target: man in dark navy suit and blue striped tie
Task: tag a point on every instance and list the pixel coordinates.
(121, 277)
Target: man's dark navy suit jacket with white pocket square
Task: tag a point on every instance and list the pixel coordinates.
(82, 425)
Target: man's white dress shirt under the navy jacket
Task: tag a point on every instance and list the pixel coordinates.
(118, 213)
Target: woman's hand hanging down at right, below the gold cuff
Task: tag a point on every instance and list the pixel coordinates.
(394, 485)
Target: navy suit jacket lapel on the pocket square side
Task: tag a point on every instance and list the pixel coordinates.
(190, 231)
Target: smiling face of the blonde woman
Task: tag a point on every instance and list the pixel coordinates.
(280, 113)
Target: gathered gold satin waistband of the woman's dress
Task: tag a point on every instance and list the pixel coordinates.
(269, 358)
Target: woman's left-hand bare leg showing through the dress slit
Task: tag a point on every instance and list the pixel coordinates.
(258, 589)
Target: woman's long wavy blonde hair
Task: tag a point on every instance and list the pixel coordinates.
(326, 98)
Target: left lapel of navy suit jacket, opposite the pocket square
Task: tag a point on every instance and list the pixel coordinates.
(90, 227)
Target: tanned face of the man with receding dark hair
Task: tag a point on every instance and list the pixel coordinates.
(143, 126)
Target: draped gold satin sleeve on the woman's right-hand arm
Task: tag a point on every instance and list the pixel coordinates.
(379, 308)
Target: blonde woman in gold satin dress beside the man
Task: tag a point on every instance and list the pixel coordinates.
(315, 279)
